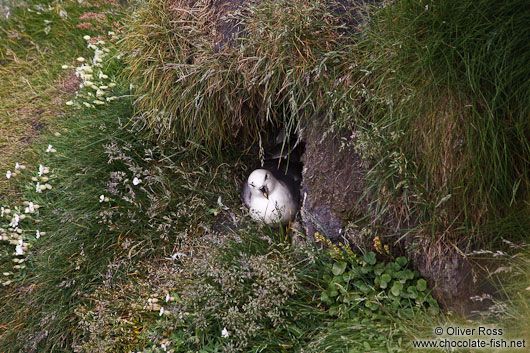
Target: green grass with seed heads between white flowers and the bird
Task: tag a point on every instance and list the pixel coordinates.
(89, 242)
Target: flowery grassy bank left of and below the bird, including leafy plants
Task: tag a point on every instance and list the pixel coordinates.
(121, 242)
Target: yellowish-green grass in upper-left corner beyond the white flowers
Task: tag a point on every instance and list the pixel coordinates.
(35, 41)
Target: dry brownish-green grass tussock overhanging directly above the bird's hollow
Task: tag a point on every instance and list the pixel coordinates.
(274, 73)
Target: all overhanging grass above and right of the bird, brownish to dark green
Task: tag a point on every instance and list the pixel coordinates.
(436, 98)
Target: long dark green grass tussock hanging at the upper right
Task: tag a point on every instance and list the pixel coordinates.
(446, 107)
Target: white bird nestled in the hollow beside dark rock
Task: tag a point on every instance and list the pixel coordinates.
(271, 196)
